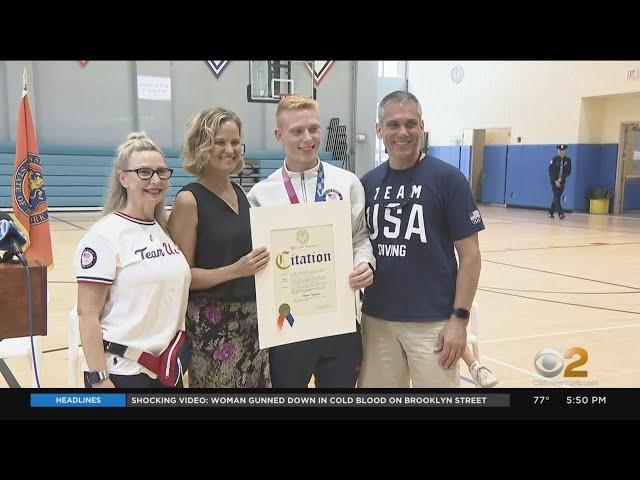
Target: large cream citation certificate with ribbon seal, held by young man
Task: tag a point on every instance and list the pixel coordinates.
(304, 292)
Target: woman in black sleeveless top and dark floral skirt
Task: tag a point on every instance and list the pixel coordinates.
(210, 223)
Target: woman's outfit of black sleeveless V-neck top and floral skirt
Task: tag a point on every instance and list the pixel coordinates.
(222, 324)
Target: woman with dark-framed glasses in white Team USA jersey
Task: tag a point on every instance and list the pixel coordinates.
(133, 281)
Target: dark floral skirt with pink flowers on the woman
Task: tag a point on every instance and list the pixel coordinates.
(224, 345)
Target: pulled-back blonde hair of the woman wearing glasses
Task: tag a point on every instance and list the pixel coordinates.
(116, 195)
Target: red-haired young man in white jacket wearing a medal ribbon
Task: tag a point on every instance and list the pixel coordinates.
(334, 361)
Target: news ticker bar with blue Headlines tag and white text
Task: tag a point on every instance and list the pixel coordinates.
(248, 400)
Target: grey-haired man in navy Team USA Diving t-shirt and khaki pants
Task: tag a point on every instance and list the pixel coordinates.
(418, 210)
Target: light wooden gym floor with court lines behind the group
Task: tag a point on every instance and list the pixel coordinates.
(545, 283)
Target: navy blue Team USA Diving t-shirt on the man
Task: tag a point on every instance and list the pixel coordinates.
(414, 216)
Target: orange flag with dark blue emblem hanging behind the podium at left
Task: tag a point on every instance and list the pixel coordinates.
(29, 198)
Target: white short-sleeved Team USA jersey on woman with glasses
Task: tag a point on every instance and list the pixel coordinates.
(148, 279)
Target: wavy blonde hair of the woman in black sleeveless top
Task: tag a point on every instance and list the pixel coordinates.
(200, 139)
